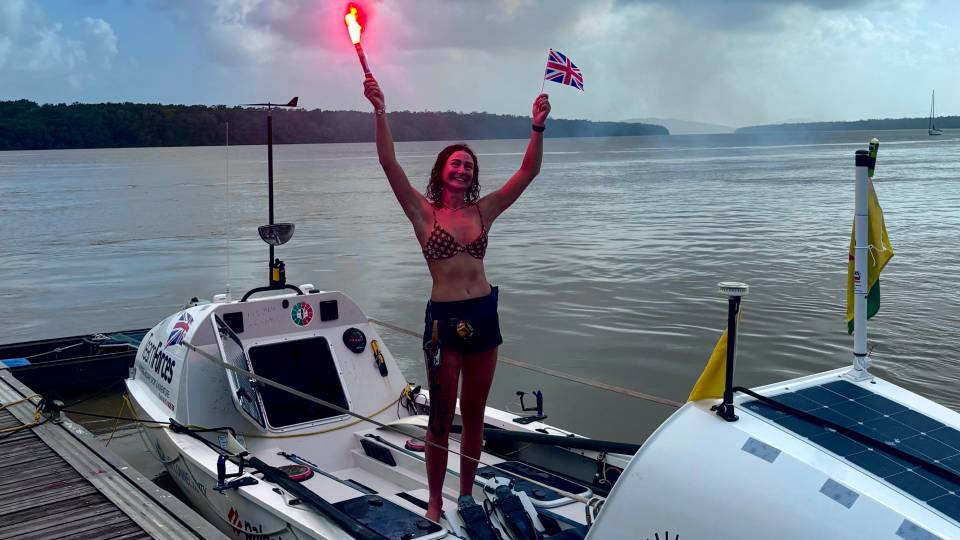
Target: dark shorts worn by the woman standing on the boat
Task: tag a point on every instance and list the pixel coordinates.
(466, 326)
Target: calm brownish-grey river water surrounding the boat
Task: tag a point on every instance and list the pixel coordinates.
(608, 265)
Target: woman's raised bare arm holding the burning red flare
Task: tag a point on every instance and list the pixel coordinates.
(414, 204)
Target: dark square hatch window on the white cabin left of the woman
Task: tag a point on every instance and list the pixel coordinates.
(303, 364)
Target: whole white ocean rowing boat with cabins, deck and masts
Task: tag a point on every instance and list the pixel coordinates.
(310, 430)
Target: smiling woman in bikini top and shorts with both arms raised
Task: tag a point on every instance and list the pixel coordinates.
(451, 222)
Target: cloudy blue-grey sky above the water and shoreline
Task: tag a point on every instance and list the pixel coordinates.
(732, 62)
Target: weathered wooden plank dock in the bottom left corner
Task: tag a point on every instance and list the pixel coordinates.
(58, 481)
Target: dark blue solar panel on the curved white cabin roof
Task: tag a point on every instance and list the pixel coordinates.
(885, 420)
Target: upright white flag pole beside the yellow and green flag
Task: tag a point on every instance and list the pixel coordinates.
(861, 283)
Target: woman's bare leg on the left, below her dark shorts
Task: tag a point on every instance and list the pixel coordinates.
(449, 375)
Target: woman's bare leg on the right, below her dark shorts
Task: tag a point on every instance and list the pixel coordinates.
(477, 372)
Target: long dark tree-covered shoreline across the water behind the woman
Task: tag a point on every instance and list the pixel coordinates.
(24, 125)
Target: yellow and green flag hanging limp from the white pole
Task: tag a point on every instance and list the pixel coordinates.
(879, 253)
